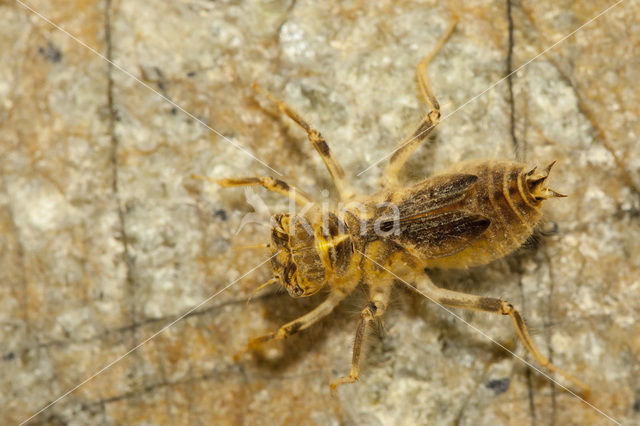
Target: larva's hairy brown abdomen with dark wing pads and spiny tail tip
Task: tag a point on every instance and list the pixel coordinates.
(475, 216)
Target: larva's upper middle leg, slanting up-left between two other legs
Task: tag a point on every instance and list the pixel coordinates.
(337, 173)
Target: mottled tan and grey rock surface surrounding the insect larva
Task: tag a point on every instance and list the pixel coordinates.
(107, 239)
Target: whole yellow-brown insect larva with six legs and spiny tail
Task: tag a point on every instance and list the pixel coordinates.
(470, 215)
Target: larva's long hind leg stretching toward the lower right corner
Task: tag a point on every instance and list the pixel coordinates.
(456, 299)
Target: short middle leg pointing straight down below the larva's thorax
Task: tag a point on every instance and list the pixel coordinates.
(379, 294)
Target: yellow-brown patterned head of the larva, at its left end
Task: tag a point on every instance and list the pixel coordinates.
(297, 264)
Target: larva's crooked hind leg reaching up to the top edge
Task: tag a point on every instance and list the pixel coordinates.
(407, 146)
